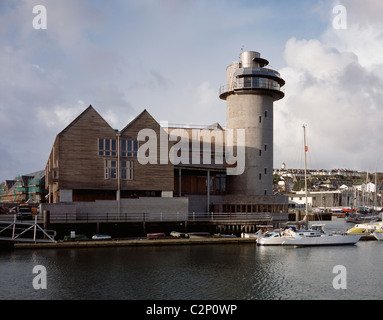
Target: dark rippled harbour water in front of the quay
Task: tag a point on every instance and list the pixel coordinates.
(196, 272)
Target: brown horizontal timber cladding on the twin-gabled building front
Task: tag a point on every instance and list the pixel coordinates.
(76, 162)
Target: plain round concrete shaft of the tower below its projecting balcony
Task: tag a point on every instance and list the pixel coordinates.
(254, 113)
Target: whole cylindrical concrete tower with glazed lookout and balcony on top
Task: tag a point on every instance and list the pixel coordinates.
(250, 92)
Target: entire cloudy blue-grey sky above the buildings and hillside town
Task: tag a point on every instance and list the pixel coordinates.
(170, 57)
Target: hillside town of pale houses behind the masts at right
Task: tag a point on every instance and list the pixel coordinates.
(329, 189)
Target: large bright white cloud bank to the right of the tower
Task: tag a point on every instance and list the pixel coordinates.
(333, 85)
